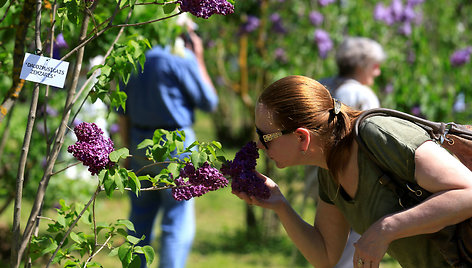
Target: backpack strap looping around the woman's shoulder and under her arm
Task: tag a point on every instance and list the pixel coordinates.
(409, 194)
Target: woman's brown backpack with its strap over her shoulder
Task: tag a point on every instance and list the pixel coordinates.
(454, 242)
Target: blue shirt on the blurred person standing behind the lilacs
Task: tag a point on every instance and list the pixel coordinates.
(168, 91)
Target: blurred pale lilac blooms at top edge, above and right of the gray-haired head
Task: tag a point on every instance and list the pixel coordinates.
(399, 13)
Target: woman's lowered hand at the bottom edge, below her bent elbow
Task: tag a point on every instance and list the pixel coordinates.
(371, 247)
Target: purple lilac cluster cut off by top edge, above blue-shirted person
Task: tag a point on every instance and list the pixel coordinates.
(206, 8)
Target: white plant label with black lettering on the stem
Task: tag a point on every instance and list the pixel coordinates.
(44, 70)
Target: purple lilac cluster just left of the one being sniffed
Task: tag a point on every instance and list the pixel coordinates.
(200, 181)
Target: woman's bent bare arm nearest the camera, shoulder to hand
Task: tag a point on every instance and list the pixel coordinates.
(440, 173)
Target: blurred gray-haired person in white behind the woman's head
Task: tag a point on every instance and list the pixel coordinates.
(358, 60)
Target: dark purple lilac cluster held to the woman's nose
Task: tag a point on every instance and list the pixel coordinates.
(241, 170)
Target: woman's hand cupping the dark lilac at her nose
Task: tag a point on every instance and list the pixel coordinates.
(275, 200)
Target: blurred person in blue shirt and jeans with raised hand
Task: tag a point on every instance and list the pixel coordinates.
(173, 84)
